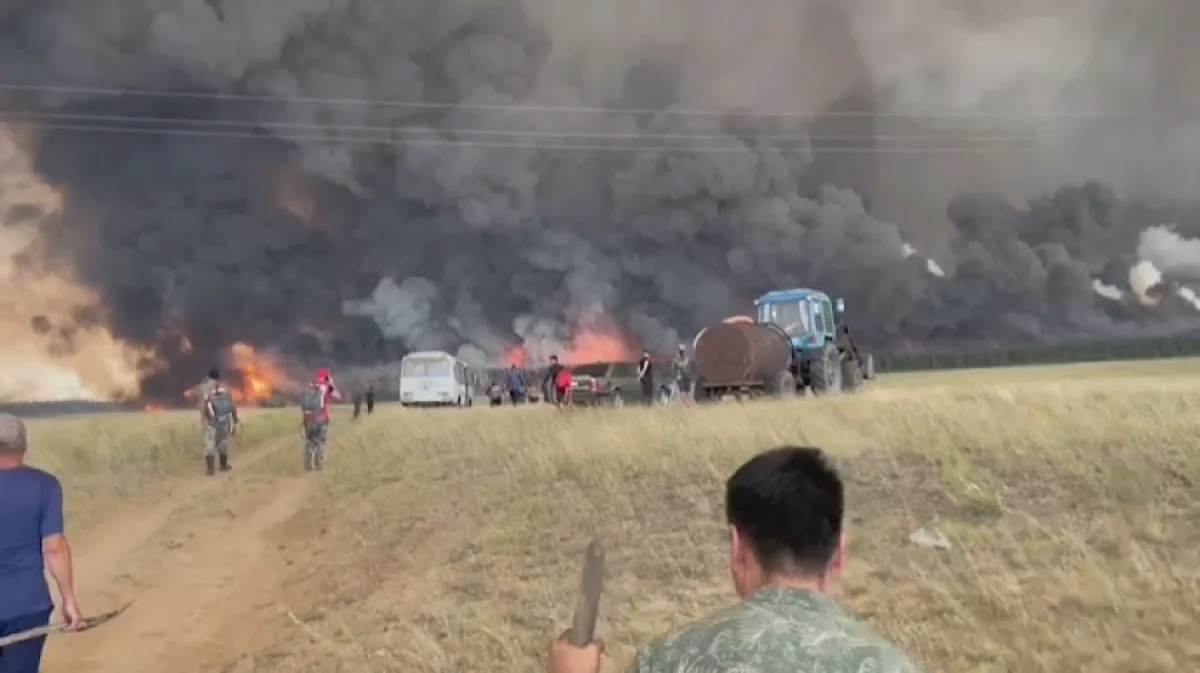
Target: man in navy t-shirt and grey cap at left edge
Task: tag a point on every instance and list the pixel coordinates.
(32, 540)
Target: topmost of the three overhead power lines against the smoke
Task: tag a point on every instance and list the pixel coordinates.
(578, 110)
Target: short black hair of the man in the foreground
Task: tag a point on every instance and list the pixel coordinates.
(788, 503)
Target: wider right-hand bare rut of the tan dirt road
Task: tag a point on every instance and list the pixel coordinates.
(214, 599)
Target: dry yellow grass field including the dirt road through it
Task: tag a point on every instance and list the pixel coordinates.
(449, 542)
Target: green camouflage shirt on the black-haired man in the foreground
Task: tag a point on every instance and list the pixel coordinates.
(777, 632)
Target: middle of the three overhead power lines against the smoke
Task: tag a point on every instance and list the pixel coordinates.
(509, 133)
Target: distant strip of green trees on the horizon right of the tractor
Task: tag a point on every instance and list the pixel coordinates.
(1090, 352)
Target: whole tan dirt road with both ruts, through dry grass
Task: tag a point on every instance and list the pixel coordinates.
(205, 568)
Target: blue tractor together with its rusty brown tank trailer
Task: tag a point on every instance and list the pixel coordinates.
(795, 342)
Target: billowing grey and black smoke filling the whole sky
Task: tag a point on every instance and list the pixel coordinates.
(345, 181)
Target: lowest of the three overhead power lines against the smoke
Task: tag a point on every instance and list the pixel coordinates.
(735, 147)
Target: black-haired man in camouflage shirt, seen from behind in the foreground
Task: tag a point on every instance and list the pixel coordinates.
(785, 512)
